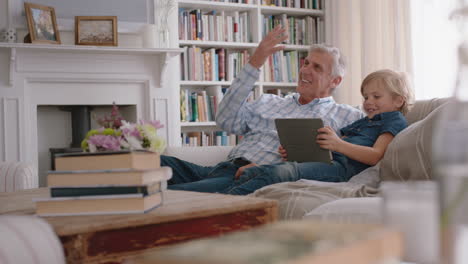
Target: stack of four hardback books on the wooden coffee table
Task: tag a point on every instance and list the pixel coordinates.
(120, 182)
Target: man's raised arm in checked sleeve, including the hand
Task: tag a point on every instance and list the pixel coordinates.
(232, 113)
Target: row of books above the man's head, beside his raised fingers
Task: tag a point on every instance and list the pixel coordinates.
(301, 31)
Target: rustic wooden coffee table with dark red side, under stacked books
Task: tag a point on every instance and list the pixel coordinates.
(184, 216)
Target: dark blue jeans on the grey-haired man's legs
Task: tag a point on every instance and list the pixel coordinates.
(192, 177)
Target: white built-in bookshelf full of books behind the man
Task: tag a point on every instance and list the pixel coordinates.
(218, 38)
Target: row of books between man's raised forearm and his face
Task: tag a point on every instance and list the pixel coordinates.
(283, 66)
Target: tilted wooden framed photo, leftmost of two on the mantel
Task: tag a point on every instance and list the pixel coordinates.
(42, 23)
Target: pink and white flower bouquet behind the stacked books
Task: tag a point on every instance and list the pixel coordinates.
(117, 134)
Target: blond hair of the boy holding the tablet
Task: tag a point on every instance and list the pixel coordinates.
(396, 83)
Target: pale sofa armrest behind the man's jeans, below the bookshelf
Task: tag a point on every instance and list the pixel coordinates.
(205, 156)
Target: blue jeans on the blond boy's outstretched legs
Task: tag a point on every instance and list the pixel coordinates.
(257, 177)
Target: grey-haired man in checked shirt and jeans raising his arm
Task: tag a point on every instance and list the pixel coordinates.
(322, 72)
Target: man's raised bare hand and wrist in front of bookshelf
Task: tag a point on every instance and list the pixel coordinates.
(268, 46)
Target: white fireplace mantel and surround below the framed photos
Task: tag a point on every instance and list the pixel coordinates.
(81, 75)
